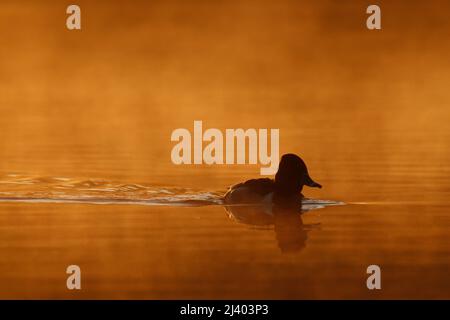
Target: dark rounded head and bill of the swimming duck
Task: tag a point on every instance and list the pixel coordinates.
(292, 175)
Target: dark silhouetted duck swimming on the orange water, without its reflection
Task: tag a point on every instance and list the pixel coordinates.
(287, 186)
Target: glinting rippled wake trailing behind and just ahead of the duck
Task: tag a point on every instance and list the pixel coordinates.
(18, 188)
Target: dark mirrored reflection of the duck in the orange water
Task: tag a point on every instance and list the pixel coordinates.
(291, 233)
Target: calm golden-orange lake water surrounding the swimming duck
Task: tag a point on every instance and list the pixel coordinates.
(94, 110)
